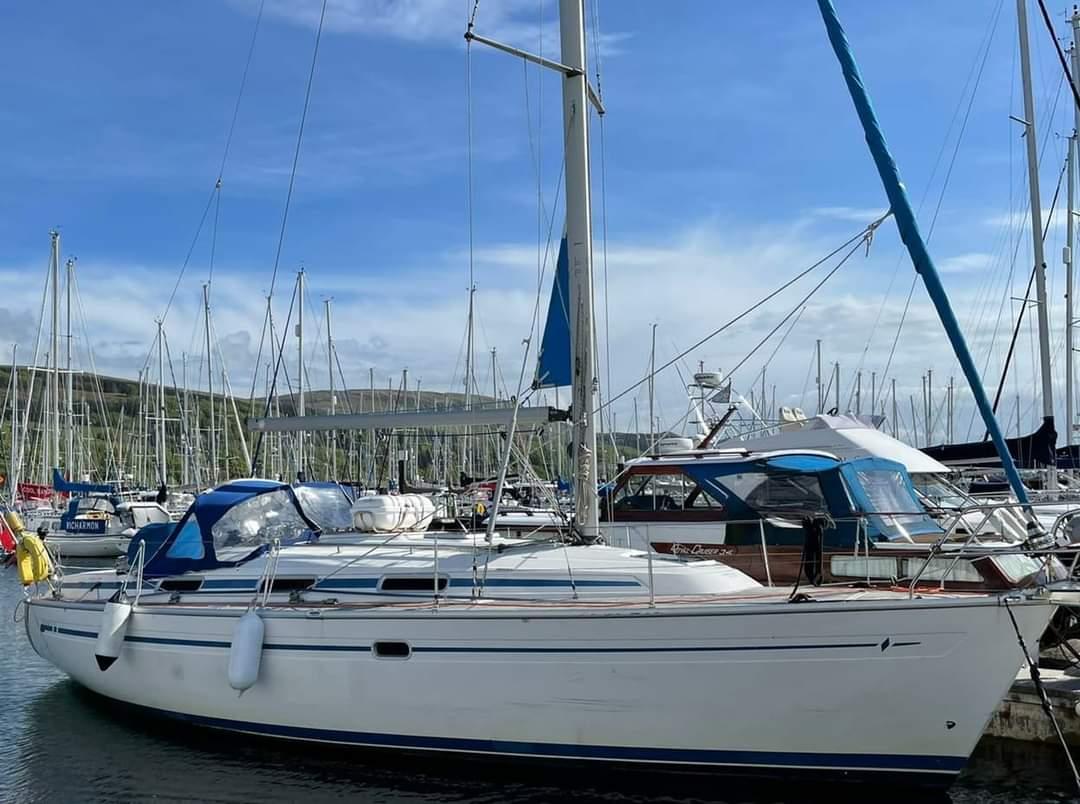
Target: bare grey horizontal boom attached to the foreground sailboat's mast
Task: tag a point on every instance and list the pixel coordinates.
(498, 416)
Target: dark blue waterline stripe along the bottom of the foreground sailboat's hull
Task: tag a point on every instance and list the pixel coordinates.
(914, 763)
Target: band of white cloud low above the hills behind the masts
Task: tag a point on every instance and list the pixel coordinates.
(690, 283)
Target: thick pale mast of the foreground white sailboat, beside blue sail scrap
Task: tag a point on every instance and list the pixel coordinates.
(572, 17)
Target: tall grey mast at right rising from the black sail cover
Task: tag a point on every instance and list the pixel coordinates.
(1041, 262)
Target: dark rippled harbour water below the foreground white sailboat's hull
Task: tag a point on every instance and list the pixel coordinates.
(61, 744)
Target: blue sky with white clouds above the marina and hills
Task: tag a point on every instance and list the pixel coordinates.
(733, 160)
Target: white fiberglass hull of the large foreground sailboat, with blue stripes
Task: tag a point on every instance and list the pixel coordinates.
(885, 688)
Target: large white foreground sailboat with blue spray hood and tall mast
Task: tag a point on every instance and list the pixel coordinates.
(505, 653)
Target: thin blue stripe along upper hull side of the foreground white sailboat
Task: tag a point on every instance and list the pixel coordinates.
(487, 650)
